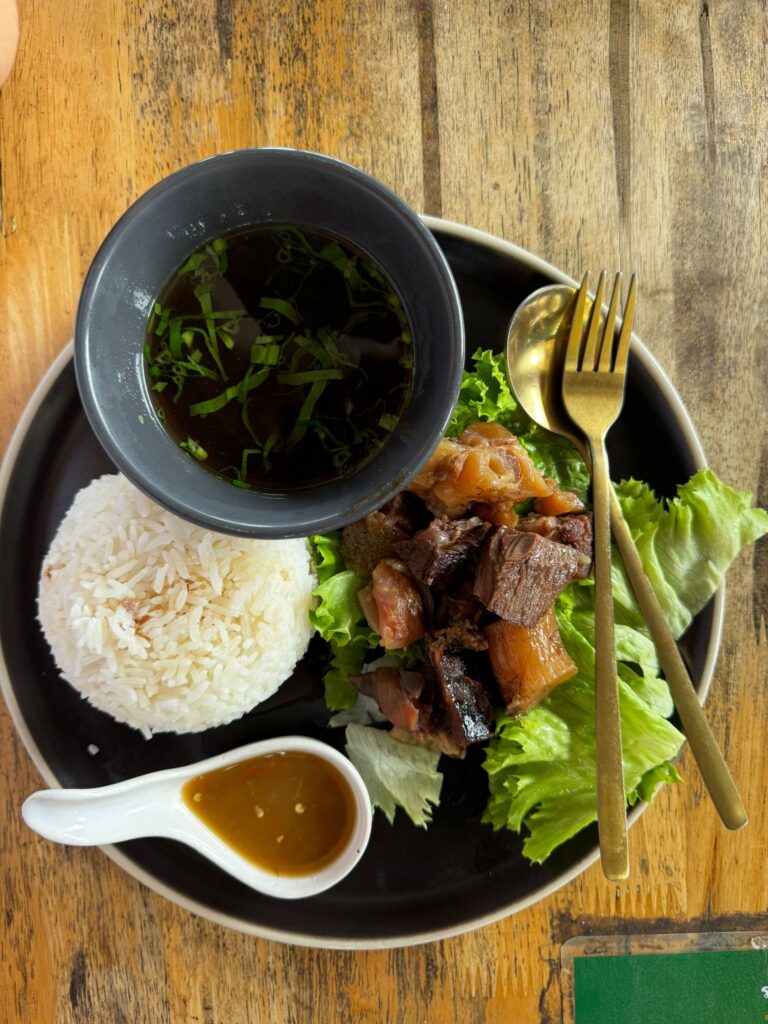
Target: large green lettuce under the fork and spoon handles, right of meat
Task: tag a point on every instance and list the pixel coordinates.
(542, 766)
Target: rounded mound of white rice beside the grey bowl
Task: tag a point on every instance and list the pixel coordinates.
(165, 626)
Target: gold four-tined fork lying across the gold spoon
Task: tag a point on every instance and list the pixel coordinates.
(593, 382)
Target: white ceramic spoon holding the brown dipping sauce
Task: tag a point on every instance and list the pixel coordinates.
(152, 805)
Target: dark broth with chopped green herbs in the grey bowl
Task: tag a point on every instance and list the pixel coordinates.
(279, 358)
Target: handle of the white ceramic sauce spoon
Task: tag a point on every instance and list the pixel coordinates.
(83, 818)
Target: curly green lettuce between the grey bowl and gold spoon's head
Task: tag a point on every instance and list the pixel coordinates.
(485, 395)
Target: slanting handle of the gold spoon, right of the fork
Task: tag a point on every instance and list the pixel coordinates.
(703, 744)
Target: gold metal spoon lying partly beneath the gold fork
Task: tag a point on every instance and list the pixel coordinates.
(536, 351)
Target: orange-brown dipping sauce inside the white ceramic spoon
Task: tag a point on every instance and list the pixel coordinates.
(290, 814)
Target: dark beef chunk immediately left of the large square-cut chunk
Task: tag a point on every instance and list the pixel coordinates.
(437, 556)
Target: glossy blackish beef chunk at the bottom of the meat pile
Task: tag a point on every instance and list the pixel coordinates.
(462, 707)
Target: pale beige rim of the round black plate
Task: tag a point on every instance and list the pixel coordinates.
(495, 243)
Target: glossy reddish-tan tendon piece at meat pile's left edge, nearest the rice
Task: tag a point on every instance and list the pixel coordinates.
(394, 607)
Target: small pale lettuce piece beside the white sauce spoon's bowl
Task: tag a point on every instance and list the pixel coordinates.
(396, 775)
